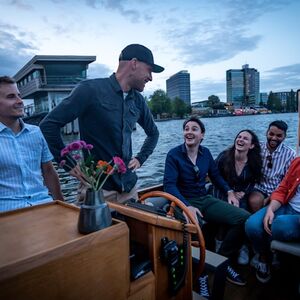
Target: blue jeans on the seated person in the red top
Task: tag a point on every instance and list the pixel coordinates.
(285, 227)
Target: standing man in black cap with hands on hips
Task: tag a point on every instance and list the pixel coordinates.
(107, 110)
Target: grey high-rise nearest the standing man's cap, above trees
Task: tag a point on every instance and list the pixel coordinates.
(179, 85)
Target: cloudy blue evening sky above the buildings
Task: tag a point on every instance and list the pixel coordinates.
(205, 37)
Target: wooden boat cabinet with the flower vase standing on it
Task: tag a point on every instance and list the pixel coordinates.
(61, 263)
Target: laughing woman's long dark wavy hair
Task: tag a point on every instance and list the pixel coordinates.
(254, 160)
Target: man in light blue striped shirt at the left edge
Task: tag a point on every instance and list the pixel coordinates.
(25, 160)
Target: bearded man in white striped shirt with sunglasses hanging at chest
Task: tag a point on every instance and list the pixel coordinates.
(277, 158)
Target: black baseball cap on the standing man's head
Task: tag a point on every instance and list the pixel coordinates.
(141, 53)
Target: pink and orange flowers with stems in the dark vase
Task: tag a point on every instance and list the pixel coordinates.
(95, 173)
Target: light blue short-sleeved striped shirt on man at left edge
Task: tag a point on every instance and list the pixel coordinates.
(21, 156)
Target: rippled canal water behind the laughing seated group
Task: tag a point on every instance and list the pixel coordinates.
(220, 133)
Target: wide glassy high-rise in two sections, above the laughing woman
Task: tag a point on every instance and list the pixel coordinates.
(242, 86)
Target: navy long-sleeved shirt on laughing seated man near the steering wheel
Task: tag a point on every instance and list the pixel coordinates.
(184, 180)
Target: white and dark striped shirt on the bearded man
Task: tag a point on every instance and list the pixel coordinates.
(281, 160)
